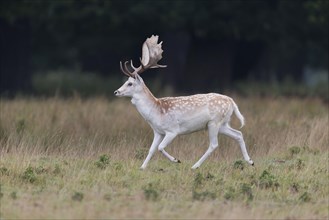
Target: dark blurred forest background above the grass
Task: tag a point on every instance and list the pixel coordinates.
(64, 47)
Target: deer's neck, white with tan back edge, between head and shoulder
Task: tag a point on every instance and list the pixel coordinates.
(145, 103)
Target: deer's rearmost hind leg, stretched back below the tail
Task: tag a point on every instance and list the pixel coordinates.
(237, 135)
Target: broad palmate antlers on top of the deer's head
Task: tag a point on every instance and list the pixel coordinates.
(151, 54)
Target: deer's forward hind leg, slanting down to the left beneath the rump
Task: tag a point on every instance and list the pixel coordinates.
(213, 132)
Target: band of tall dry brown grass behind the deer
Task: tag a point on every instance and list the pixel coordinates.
(88, 127)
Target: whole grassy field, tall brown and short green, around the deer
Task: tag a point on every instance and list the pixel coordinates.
(80, 158)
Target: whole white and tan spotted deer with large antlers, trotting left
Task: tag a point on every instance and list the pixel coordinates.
(172, 116)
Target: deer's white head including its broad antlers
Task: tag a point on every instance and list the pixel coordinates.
(151, 54)
